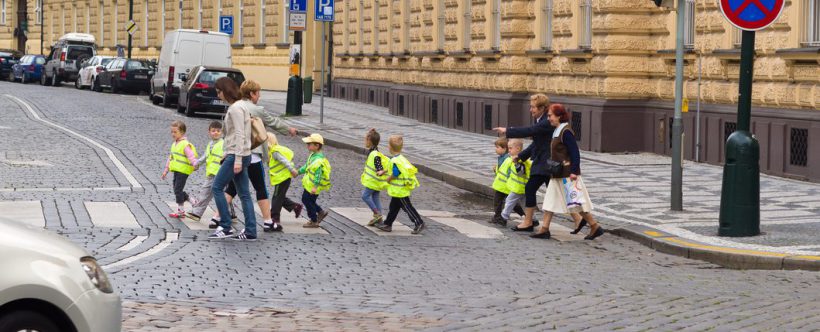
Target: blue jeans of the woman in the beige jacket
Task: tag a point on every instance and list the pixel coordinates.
(240, 180)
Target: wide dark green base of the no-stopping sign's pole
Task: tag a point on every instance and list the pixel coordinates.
(740, 196)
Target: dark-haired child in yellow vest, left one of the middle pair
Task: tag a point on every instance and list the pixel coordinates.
(373, 182)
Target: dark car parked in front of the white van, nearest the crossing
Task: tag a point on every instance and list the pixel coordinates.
(198, 94)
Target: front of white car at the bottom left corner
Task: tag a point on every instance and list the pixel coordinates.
(49, 284)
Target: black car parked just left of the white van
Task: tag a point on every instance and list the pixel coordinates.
(123, 74)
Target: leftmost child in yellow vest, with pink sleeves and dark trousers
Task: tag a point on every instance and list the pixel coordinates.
(181, 162)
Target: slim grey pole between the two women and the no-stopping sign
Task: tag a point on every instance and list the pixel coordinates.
(677, 123)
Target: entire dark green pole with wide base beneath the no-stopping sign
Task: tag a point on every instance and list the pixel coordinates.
(740, 196)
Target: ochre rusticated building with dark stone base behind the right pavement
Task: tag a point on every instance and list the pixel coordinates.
(471, 64)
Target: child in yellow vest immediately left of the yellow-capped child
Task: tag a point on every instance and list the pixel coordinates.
(281, 172)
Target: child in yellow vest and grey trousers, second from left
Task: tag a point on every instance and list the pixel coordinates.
(212, 157)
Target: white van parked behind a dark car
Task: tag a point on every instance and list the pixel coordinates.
(182, 50)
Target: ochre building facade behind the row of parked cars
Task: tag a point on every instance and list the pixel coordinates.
(260, 41)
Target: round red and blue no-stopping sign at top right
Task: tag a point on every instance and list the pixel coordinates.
(751, 15)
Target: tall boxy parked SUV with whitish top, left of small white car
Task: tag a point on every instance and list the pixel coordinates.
(63, 63)
